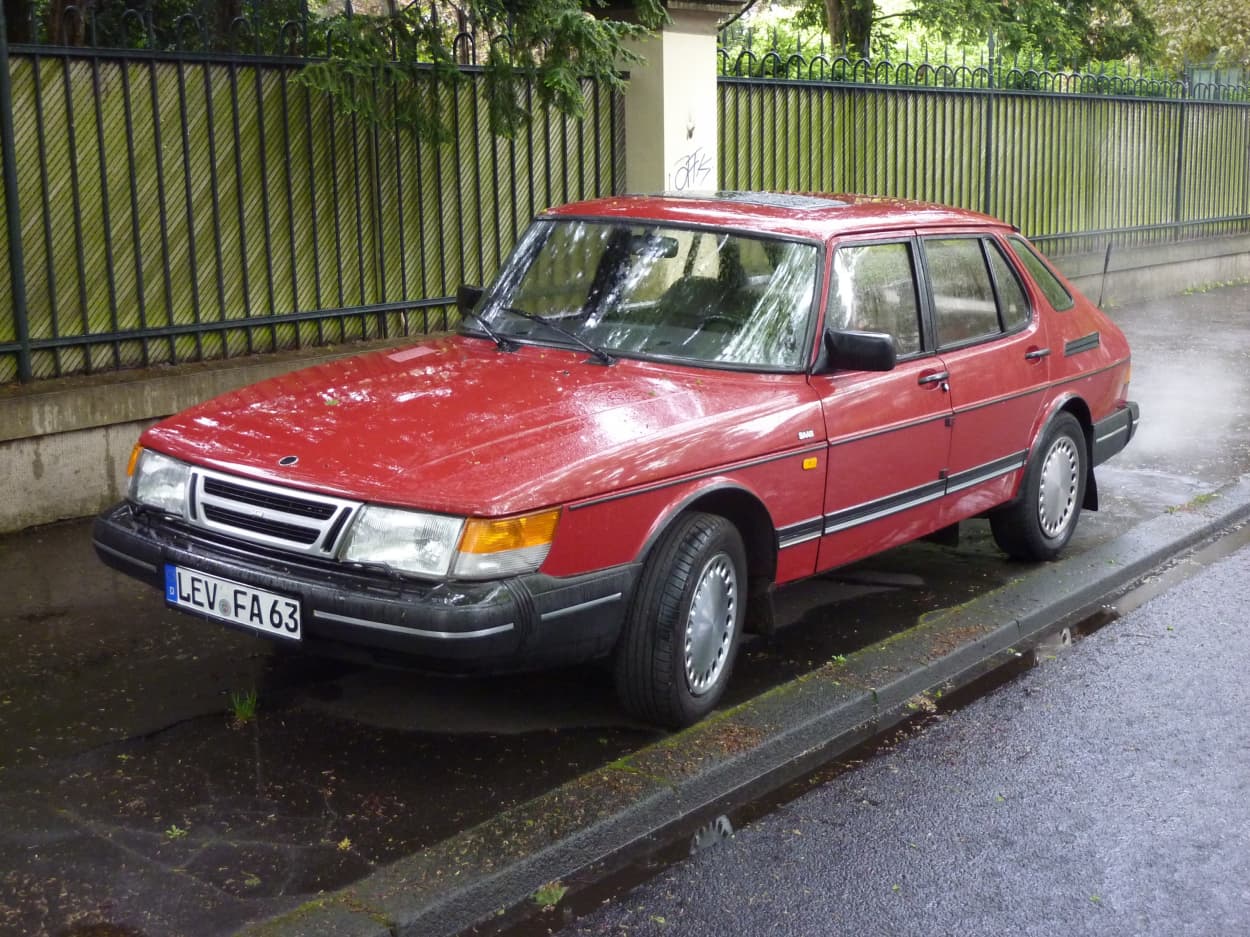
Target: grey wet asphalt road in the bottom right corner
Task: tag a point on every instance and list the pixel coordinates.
(1104, 793)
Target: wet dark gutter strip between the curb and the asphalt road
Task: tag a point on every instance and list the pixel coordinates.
(603, 883)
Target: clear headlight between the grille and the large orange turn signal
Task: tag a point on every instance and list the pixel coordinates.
(406, 540)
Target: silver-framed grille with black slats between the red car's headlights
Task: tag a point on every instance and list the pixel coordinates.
(271, 515)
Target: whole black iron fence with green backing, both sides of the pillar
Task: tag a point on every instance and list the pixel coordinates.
(187, 201)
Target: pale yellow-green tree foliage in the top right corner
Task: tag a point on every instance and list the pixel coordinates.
(1212, 32)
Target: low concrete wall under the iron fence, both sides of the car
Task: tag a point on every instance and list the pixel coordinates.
(64, 445)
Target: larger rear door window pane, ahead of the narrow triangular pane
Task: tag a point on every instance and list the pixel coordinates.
(963, 295)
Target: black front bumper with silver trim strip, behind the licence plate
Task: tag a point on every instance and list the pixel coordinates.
(514, 624)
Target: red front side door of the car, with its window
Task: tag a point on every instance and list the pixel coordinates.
(888, 433)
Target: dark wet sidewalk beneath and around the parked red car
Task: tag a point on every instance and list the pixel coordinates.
(136, 800)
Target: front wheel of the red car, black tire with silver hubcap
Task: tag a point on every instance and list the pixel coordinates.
(684, 623)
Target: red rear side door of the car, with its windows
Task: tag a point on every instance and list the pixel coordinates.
(994, 350)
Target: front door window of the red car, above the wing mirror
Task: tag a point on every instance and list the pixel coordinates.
(874, 290)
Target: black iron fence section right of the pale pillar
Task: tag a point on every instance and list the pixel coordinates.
(1076, 159)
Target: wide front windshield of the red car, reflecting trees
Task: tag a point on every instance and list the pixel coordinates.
(644, 290)
